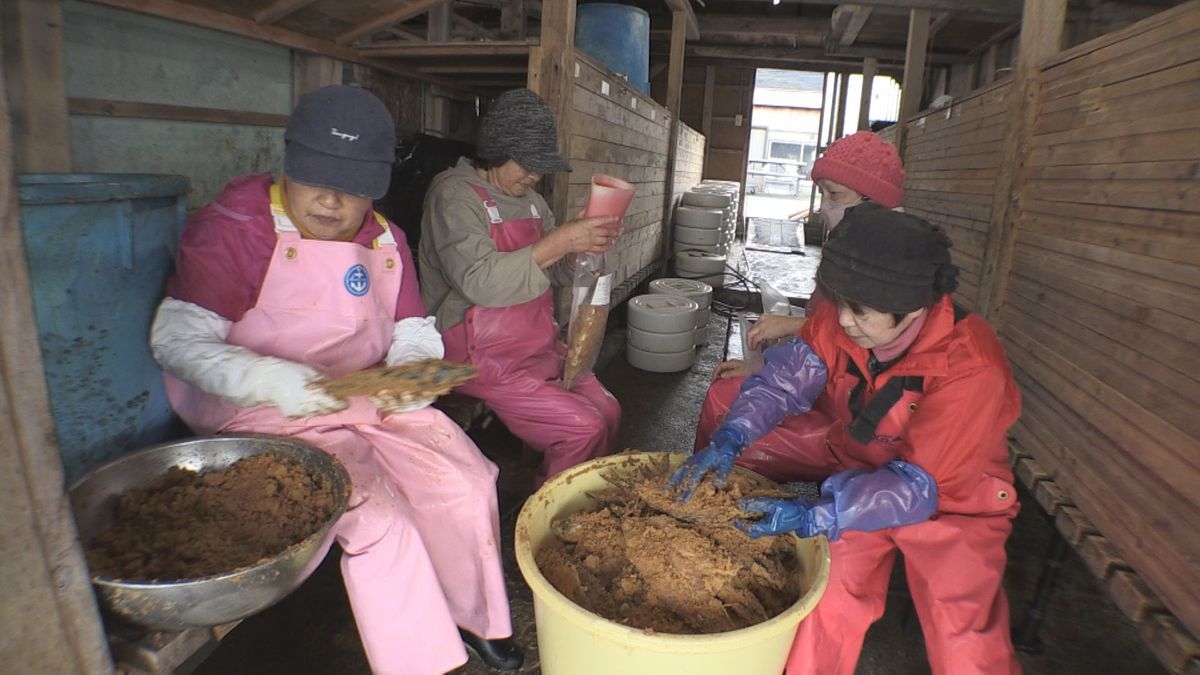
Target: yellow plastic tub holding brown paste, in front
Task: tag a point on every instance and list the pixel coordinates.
(573, 641)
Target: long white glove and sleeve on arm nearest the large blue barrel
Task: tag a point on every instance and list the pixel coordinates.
(189, 343)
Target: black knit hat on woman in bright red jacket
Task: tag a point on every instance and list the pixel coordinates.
(887, 261)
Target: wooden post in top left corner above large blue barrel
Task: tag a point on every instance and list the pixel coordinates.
(37, 85)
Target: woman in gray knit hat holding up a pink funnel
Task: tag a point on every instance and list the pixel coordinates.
(491, 254)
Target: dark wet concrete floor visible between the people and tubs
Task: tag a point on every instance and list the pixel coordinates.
(313, 631)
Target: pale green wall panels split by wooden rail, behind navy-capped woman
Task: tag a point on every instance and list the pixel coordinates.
(121, 56)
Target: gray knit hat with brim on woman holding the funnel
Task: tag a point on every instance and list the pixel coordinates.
(520, 127)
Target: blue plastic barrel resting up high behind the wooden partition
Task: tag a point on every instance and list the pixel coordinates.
(619, 37)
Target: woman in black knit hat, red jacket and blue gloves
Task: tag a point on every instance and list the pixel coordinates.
(907, 403)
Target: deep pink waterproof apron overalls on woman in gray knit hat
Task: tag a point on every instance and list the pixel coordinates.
(520, 362)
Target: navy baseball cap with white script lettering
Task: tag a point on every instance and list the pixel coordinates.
(341, 138)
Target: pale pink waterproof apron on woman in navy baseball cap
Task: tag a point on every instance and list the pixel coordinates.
(422, 537)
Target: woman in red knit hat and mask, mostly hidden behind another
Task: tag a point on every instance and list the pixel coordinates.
(854, 170)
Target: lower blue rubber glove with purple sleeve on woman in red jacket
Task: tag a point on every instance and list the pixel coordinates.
(895, 495)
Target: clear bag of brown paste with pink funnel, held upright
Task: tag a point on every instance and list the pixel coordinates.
(593, 283)
